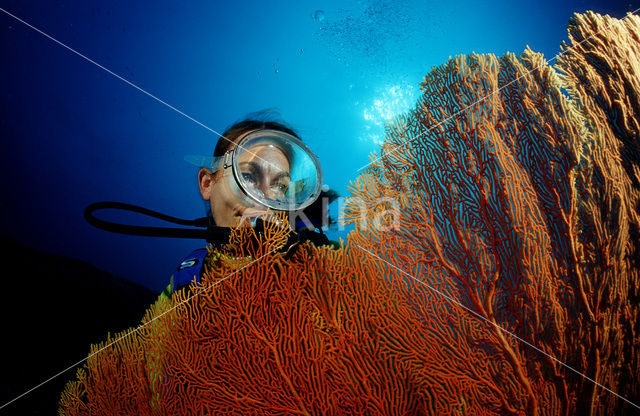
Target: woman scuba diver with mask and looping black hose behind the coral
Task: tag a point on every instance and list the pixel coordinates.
(257, 166)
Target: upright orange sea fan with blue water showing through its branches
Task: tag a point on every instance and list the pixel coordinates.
(470, 225)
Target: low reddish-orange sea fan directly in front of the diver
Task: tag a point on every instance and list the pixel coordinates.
(301, 336)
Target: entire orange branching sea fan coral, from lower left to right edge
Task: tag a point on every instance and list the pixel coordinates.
(494, 268)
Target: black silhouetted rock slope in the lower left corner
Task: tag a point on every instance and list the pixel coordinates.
(52, 309)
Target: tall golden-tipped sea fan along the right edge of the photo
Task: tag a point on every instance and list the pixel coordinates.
(602, 73)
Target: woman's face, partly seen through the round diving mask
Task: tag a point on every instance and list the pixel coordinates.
(264, 169)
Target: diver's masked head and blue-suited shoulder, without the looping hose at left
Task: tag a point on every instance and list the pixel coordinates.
(259, 166)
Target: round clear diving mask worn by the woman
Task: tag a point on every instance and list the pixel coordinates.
(272, 169)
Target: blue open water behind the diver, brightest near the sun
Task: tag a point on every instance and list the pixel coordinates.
(73, 134)
